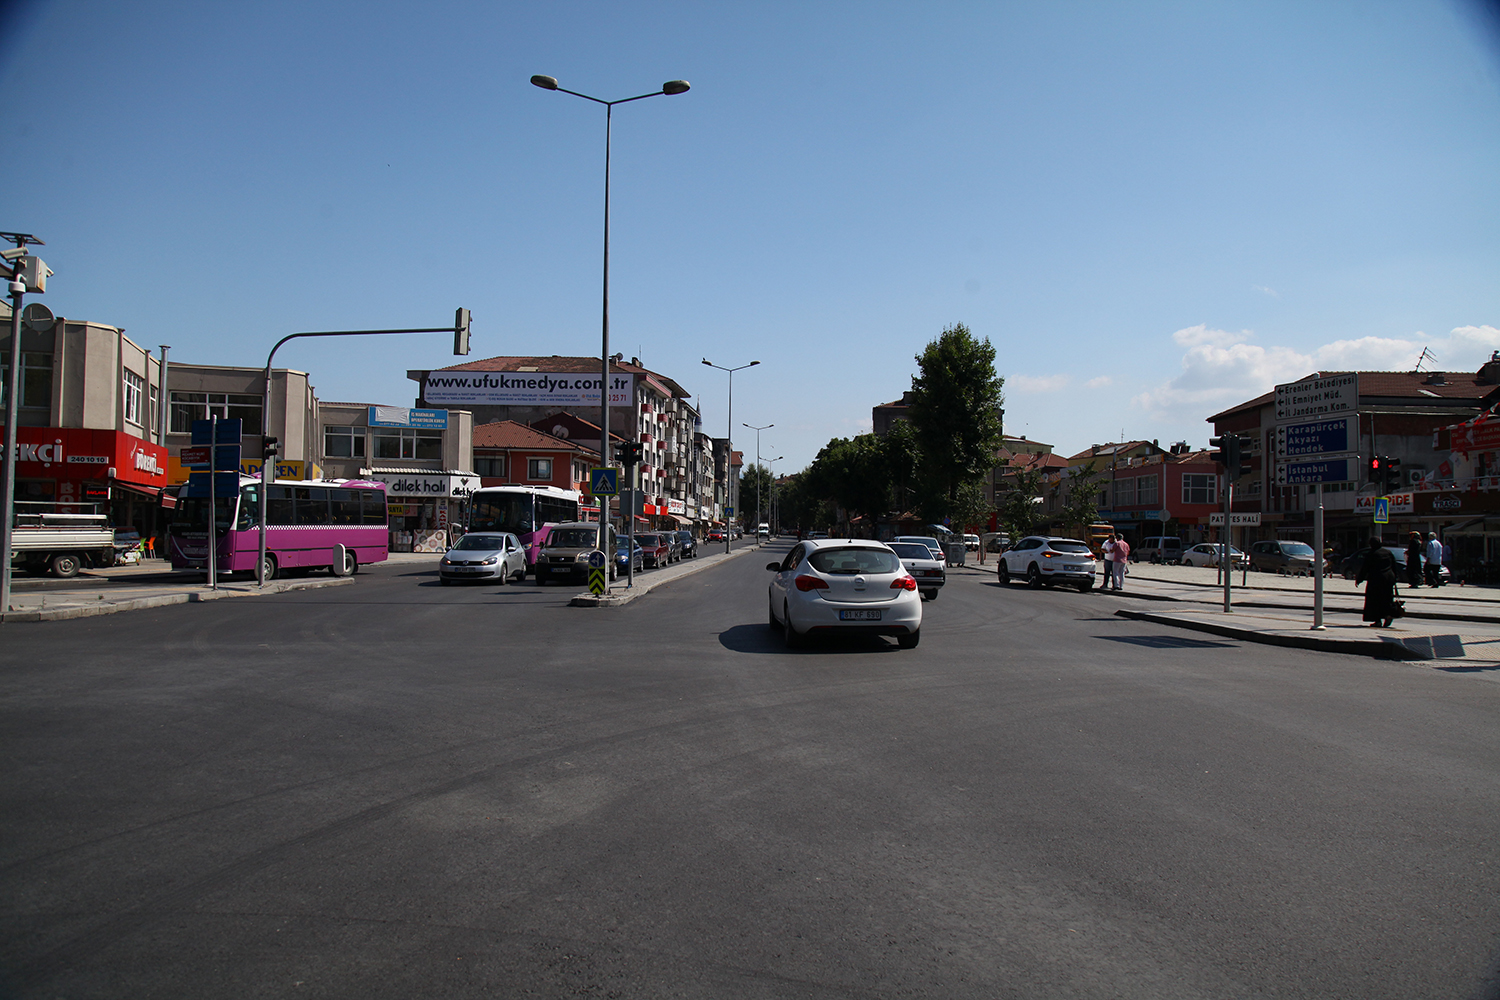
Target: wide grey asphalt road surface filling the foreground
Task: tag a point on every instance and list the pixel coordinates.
(404, 791)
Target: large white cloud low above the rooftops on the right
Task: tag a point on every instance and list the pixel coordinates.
(1222, 370)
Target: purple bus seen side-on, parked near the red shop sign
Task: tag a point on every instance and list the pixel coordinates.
(304, 524)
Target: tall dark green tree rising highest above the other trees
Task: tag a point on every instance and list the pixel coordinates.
(956, 416)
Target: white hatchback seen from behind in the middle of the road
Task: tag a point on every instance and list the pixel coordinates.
(842, 585)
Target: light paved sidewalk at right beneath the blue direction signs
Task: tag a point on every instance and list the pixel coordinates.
(1457, 627)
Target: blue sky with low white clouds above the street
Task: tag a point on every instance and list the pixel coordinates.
(1153, 211)
